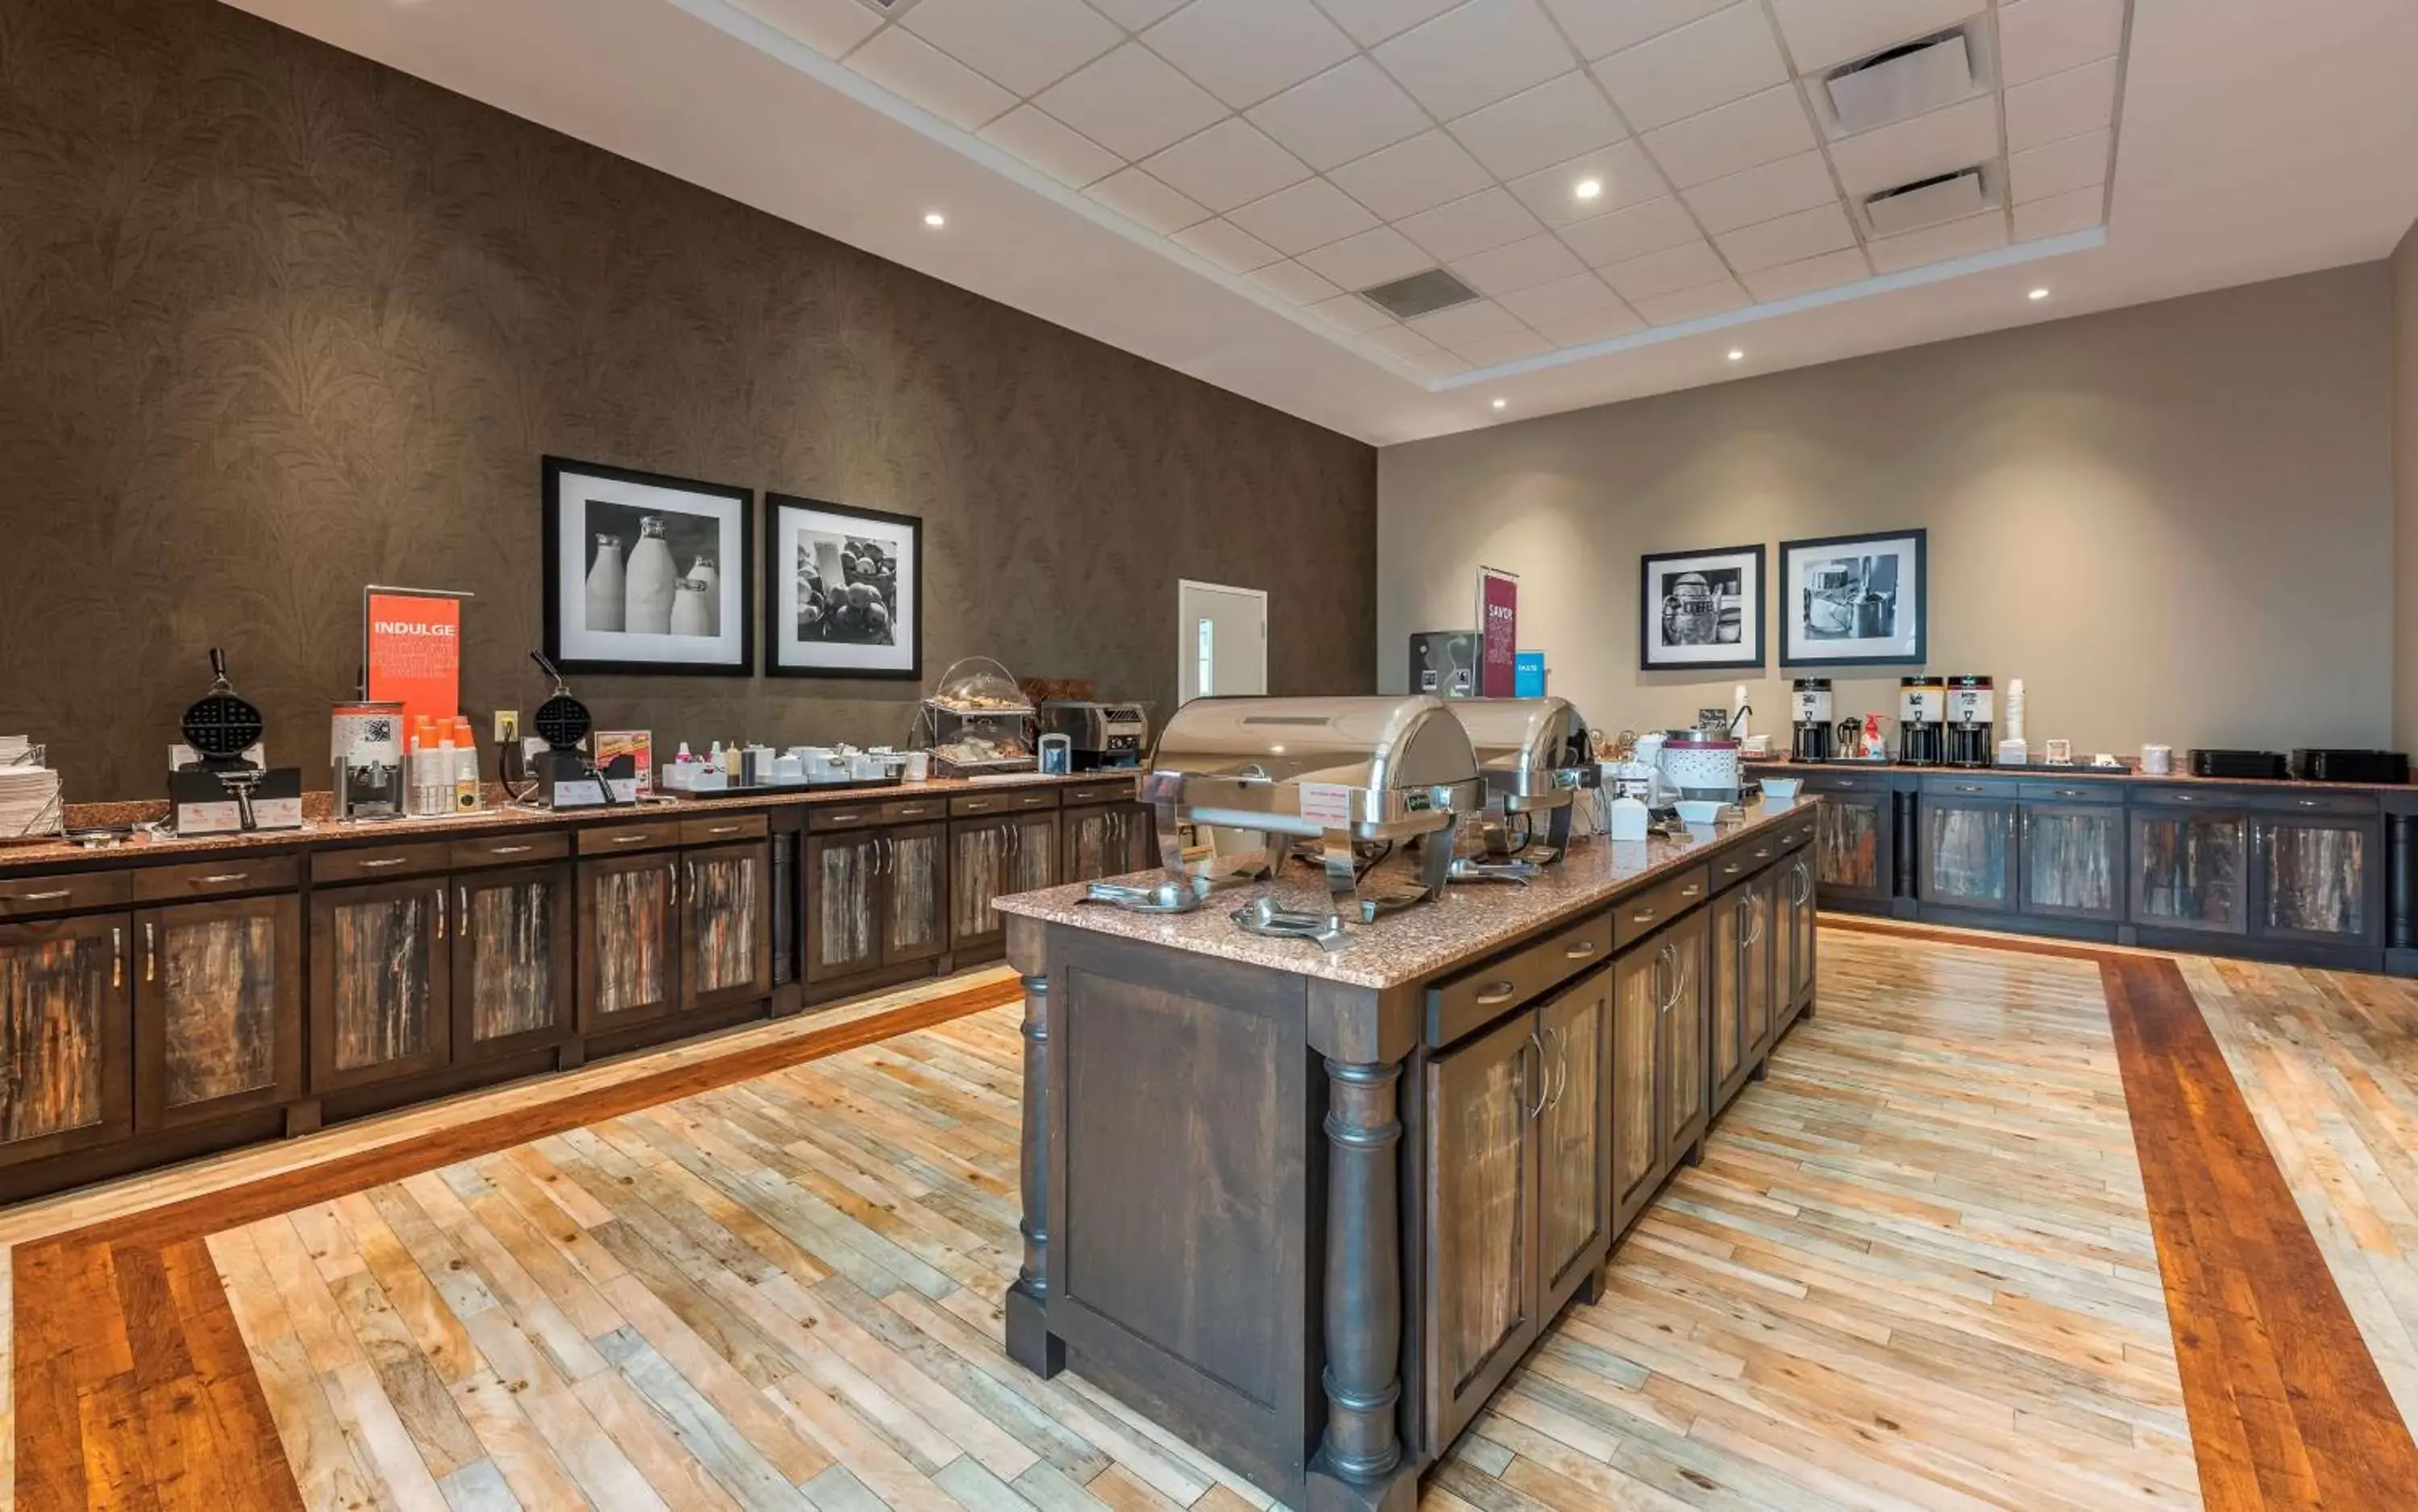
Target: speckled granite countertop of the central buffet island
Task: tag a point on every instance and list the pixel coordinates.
(1469, 923)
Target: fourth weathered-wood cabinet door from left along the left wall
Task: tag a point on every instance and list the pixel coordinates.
(511, 962)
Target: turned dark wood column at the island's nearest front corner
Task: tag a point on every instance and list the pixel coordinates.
(1360, 1462)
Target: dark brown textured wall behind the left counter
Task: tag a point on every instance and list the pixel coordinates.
(279, 323)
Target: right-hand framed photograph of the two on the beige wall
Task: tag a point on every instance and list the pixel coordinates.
(1853, 601)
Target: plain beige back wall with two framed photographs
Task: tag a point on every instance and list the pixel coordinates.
(2173, 521)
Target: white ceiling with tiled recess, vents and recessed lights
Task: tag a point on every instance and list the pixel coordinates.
(1205, 180)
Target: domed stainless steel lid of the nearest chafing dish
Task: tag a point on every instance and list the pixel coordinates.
(1382, 768)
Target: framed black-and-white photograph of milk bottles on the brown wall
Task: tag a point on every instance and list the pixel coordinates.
(647, 572)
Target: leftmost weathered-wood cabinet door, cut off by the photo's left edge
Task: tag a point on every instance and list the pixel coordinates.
(66, 1037)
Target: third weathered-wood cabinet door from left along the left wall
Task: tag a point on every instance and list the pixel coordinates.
(381, 983)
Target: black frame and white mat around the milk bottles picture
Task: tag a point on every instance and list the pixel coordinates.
(574, 645)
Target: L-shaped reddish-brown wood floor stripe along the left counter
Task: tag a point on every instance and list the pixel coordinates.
(134, 1385)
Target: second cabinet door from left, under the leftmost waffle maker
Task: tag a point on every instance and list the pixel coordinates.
(219, 1010)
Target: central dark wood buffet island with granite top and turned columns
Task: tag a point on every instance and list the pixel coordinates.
(1307, 1204)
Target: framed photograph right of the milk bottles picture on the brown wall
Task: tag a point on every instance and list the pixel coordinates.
(845, 591)
